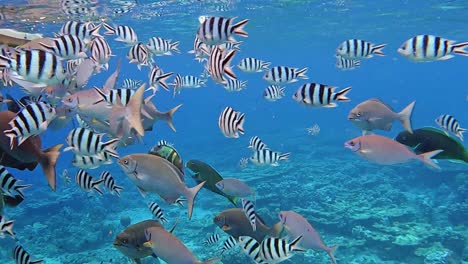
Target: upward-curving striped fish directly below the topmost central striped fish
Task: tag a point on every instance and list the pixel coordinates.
(219, 65)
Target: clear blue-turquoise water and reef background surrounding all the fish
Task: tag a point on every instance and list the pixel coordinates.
(376, 214)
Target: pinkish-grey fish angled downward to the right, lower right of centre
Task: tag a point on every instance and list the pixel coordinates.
(296, 225)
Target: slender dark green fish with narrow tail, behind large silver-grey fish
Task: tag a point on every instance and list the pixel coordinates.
(206, 173)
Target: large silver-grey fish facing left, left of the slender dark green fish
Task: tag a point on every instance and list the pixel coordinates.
(154, 174)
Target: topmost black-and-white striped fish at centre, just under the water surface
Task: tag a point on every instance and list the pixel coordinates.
(217, 30)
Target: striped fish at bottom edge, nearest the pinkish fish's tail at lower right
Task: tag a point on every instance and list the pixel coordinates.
(274, 250)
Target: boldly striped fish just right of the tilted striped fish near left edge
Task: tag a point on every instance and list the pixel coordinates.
(84, 141)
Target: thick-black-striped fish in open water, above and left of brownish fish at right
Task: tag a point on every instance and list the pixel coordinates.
(320, 95)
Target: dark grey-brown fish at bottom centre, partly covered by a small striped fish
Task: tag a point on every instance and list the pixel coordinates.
(235, 223)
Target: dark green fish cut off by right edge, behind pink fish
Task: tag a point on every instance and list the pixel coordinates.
(428, 139)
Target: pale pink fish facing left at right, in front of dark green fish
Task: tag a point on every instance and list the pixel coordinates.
(386, 151)
